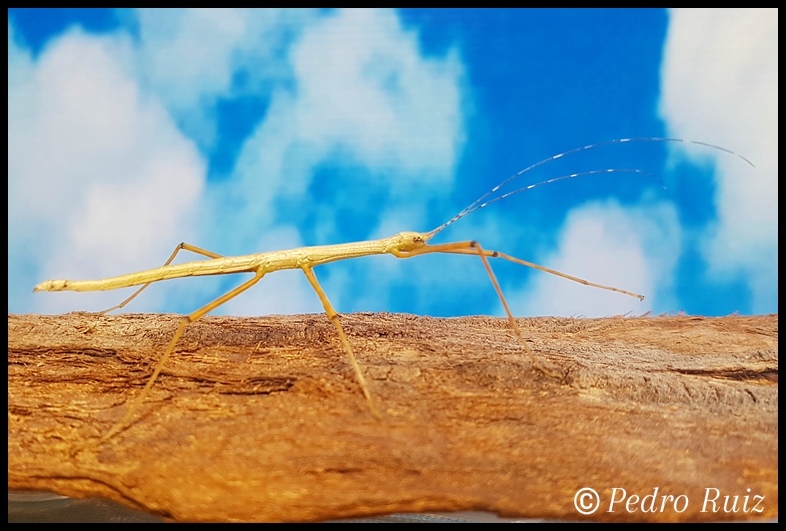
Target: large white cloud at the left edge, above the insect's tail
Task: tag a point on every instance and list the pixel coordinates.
(99, 177)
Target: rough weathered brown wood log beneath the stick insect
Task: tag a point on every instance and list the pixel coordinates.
(261, 418)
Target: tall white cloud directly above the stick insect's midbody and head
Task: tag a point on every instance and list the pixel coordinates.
(361, 96)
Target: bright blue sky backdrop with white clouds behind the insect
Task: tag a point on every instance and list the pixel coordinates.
(244, 131)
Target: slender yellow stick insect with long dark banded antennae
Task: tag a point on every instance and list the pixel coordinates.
(401, 245)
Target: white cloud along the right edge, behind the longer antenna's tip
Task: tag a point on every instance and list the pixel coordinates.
(720, 84)
